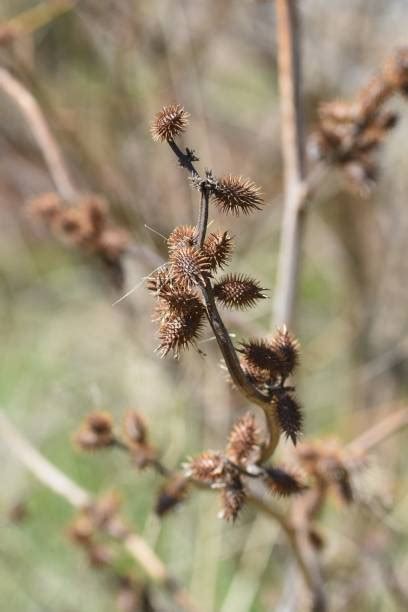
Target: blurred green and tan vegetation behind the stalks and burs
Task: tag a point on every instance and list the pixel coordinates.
(100, 70)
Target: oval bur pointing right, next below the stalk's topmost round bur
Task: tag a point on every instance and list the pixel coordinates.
(236, 194)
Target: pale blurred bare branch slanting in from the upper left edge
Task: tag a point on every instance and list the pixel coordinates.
(46, 142)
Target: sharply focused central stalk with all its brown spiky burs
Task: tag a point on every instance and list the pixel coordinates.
(188, 289)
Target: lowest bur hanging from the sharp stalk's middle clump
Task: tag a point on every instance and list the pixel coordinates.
(178, 330)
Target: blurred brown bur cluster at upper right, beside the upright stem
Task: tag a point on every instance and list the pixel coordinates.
(349, 133)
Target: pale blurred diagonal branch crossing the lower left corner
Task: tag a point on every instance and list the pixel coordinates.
(78, 497)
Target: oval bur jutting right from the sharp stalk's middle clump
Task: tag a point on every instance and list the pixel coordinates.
(238, 291)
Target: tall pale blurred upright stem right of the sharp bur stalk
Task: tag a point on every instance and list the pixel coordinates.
(289, 68)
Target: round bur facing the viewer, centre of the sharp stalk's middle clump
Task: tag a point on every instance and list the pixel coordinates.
(189, 267)
